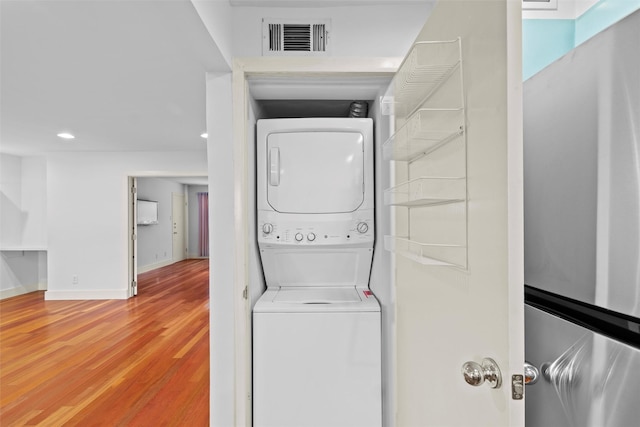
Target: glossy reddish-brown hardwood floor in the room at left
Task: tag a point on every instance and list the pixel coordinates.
(137, 362)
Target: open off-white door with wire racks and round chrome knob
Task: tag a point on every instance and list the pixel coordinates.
(457, 203)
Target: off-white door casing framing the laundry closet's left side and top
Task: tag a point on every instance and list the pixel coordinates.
(266, 68)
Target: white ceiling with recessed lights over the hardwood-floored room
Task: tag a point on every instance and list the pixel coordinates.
(119, 75)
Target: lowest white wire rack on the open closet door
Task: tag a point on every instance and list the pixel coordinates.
(427, 254)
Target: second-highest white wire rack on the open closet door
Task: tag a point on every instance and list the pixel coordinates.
(425, 131)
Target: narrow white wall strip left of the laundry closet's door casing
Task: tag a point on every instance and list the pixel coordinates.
(222, 255)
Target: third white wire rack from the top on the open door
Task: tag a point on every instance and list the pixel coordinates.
(427, 191)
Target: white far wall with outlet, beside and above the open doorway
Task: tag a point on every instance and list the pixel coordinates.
(87, 217)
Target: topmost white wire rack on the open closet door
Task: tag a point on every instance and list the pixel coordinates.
(427, 66)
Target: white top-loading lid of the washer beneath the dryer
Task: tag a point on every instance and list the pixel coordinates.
(320, 299)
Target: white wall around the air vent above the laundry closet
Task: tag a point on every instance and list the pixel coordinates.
(355, 31)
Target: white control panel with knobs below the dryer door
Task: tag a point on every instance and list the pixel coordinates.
(273, 229)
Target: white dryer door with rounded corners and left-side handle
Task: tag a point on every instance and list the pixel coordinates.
(315, 172)
